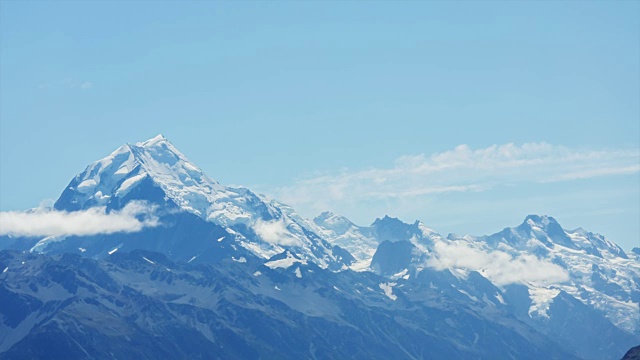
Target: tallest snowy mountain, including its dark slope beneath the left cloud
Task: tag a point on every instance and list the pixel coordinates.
(190, 205)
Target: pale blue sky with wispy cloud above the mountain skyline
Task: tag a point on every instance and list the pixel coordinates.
(351, 106)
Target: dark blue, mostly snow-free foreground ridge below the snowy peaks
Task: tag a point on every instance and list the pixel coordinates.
(142, 305)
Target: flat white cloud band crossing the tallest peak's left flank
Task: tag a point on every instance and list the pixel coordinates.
(45, 222)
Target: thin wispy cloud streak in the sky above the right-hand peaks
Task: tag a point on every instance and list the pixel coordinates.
(461, 169)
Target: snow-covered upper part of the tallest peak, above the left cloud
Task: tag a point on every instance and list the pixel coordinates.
(155, 171)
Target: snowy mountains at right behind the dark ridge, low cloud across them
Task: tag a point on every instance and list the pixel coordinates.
(573, 285)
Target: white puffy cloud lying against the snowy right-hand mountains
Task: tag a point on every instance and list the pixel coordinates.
(498, 266)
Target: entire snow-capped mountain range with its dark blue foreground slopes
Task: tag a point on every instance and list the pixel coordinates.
(223, 272)
